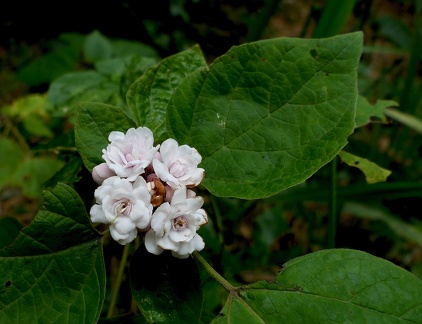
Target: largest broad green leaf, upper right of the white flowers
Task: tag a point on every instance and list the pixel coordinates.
(269, 114)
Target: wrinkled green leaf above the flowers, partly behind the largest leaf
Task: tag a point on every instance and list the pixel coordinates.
(148, 97)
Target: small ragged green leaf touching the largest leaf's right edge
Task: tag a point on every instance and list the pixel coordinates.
(365, 110)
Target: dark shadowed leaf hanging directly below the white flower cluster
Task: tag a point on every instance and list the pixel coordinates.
(166, 289)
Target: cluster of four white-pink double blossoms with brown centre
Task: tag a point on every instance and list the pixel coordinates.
(144, 188)
